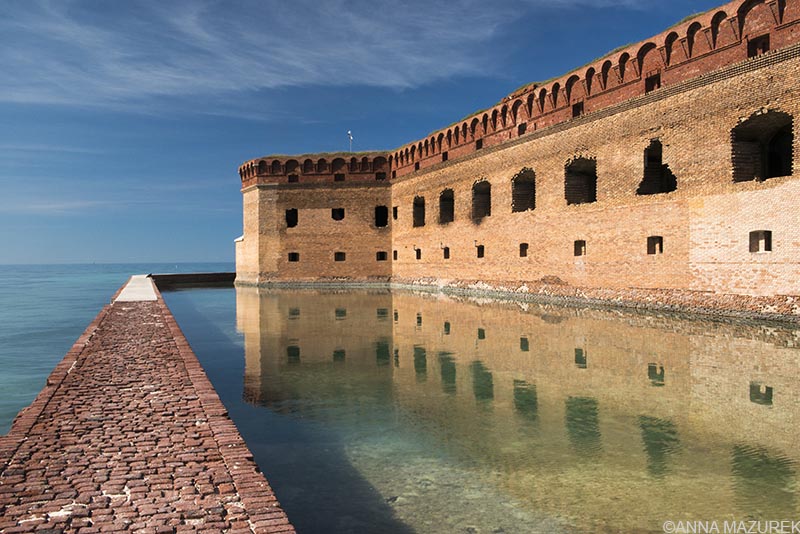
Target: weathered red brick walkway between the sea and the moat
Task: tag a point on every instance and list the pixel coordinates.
(128, 434)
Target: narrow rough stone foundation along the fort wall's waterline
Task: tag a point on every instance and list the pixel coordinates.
(718, 306)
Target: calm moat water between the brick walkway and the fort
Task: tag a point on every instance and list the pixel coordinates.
(394, 412)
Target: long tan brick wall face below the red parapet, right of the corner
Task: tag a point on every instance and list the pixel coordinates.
(704, 224)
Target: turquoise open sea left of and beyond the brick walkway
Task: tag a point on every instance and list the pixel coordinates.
(45, 308)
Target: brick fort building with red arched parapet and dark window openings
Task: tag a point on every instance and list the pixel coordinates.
(665, 166)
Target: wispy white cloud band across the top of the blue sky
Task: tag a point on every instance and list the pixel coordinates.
(128, 54)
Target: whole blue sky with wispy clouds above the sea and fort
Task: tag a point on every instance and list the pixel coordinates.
(123, 123)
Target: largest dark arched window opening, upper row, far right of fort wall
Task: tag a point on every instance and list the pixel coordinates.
(762, 147)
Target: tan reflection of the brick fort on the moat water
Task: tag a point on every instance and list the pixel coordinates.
(634, 415)
